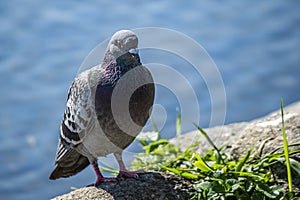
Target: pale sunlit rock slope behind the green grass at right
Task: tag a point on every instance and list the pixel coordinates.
(241, 136)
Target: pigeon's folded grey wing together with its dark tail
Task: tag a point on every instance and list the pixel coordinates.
(77, 122)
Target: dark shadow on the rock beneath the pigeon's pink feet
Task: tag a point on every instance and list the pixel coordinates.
(149, 186)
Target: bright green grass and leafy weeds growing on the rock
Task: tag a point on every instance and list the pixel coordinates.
(215, 174)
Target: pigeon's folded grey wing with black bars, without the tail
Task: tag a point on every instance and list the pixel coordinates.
(78, 118)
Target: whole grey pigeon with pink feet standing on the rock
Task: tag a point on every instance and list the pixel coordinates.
(107, 106)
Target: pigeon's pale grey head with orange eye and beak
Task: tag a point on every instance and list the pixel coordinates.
(123, 42)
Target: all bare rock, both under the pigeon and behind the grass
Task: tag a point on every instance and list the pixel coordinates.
(239, 136)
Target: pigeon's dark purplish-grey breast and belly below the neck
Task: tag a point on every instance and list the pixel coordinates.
(122, 109)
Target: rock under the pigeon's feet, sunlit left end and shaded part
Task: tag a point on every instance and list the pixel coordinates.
(148, 186)
